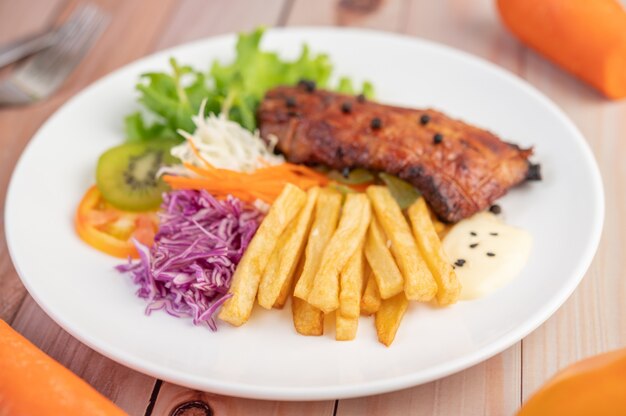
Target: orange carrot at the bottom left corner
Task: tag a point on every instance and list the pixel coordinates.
(32, 383)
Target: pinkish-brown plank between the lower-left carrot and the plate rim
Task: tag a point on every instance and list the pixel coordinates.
(129, 389)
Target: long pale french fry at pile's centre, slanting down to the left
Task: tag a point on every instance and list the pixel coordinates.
(350, 233)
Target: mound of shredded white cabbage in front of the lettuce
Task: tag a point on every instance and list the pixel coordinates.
(225, 144)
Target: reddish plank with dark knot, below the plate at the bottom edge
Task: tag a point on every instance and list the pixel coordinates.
(172, 397)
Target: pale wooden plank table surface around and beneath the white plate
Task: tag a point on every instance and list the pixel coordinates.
(587, 324)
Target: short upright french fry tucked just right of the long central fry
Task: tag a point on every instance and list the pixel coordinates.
(351, 285)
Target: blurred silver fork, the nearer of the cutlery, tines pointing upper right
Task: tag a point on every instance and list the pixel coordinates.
(45, 71)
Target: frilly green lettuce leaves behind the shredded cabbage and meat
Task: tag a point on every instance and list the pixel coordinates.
(236, 88)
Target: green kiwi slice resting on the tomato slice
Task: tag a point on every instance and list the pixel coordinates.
(126, 175)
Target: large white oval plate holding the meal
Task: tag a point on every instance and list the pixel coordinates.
(79, 289)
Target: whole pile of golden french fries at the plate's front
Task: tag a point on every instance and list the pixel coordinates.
(351, 256)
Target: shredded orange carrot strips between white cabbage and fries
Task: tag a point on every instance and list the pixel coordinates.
(265, 183)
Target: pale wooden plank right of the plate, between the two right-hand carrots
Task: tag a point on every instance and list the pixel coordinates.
(591, 321)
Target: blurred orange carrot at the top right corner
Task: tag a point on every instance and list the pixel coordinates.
(585, 37)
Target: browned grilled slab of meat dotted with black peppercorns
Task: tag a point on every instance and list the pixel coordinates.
(459, 168)
